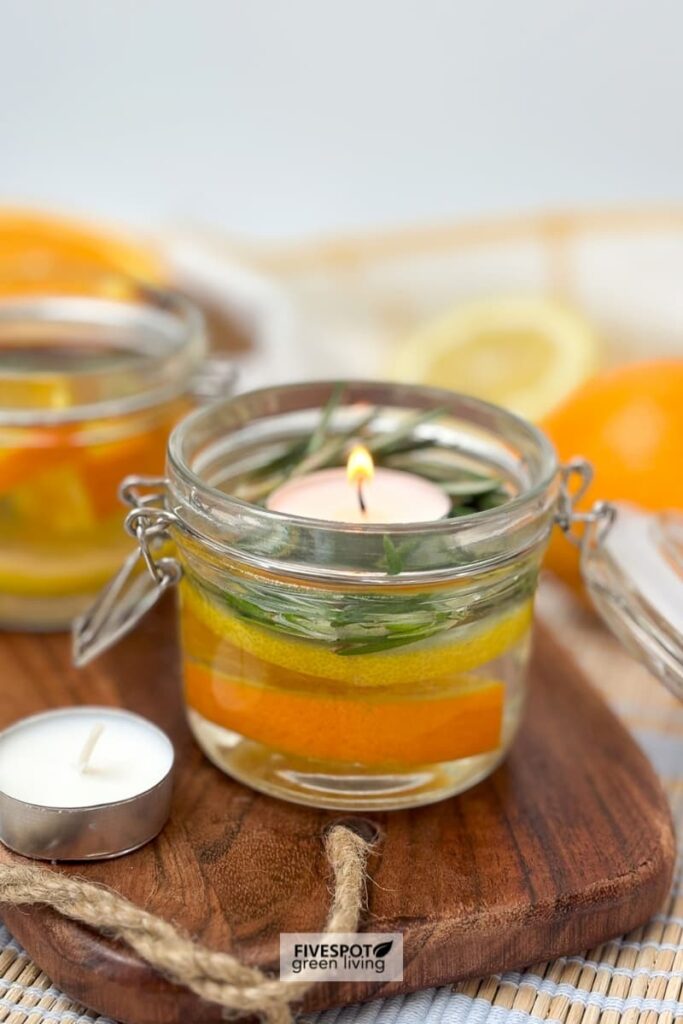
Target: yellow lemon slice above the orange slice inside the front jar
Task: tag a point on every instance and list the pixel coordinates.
(464, 650)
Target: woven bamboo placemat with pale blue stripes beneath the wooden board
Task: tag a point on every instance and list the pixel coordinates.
(636, 978)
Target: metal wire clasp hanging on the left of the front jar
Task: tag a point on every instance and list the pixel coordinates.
(145, 576)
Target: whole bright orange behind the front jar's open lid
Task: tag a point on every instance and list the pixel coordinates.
(628, 422)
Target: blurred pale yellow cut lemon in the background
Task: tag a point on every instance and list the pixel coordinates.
(526, 354)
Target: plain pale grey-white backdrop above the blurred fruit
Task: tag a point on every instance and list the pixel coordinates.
(284, 118)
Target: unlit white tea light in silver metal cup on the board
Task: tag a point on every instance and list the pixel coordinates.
(83, 784)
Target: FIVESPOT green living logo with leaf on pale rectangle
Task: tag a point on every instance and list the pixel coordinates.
(344, 957)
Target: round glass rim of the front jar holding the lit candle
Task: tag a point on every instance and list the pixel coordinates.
(180, 468)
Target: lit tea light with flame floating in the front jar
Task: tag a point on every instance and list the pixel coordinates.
(362, 493)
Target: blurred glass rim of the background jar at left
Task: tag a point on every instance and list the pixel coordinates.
(176, 346)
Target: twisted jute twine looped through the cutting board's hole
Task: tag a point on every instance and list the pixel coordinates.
(218, 977)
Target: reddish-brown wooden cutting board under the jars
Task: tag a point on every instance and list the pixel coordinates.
(571, 843)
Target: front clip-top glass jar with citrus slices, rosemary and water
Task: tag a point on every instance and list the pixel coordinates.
(339, 665)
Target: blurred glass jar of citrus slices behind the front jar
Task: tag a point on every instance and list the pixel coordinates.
(90, 387)
